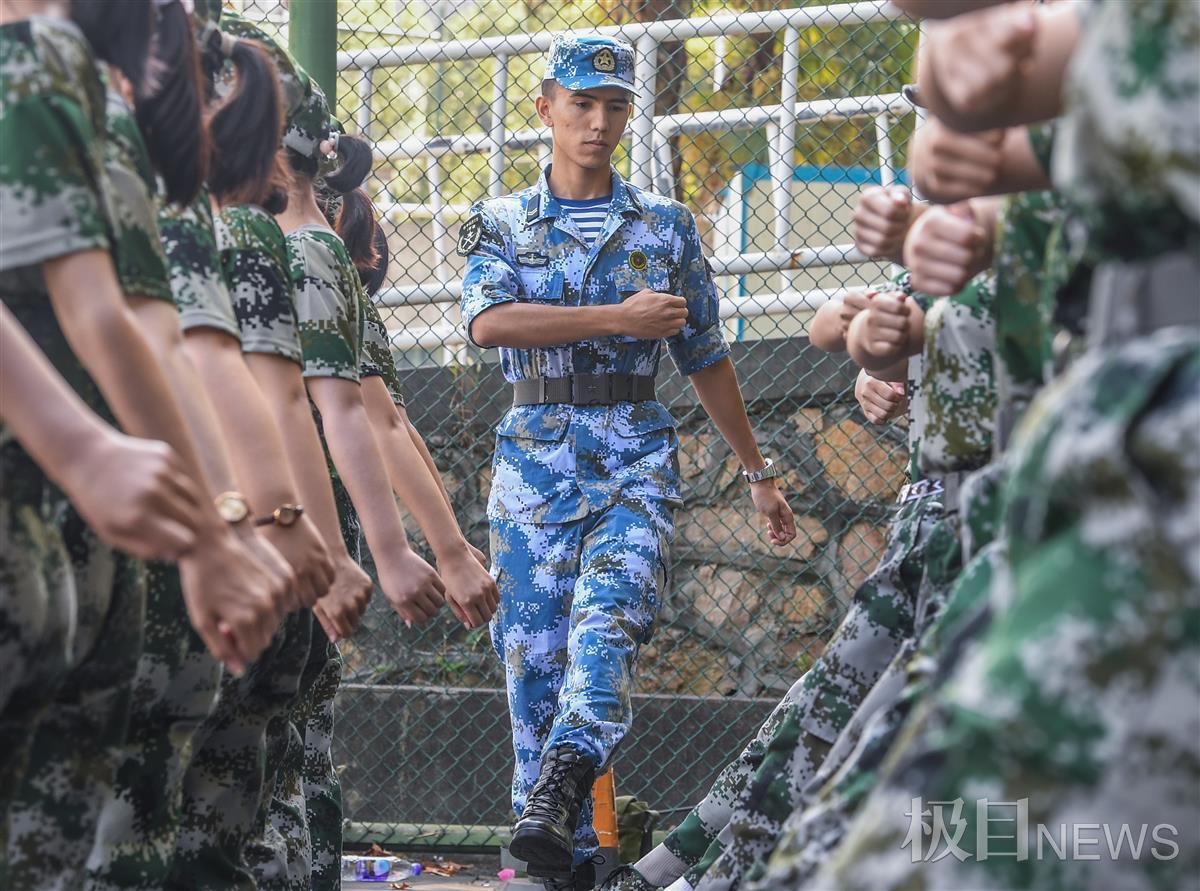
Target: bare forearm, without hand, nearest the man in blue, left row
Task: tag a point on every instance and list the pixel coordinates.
(411, 479)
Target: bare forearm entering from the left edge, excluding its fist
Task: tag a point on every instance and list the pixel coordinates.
(44, 412)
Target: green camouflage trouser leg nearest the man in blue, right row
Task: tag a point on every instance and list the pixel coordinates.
(758, 786)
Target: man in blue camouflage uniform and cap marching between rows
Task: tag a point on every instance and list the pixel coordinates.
(586, 477)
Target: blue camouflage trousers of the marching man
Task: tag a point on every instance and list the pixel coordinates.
(578, 600)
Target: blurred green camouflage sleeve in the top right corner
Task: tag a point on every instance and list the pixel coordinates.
(1126, 152)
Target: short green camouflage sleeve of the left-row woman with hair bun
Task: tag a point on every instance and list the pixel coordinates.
(327, 306)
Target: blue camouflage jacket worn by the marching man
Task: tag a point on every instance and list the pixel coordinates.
(557, 463)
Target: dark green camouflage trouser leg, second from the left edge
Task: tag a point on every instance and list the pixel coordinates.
(76, 746)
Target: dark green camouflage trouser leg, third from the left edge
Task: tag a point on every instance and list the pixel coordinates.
(175, 691)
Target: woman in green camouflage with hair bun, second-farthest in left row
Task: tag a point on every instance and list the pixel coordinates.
(332, 309)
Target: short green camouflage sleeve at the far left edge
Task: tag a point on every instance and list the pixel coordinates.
(50, 178)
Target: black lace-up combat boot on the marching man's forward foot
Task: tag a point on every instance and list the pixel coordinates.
(544, 838)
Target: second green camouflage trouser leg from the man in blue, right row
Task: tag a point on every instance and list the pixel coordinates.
(832, 799)
